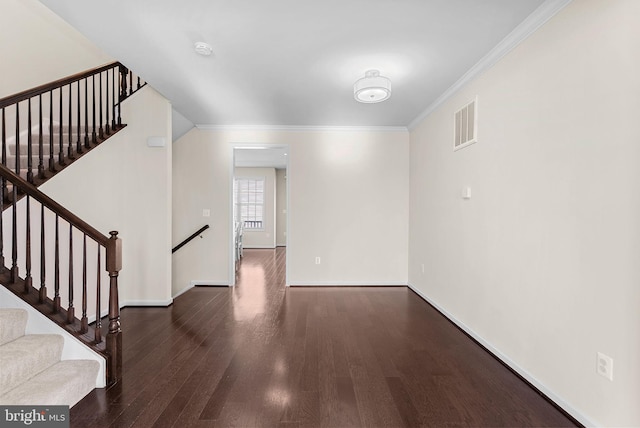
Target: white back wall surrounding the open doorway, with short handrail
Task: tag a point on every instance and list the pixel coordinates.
(348, 205)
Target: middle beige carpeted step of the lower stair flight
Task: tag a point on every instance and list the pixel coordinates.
(25, 357)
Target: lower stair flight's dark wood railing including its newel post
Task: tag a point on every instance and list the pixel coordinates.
(44, 256)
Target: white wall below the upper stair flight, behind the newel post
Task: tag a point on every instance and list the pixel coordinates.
(125, 185)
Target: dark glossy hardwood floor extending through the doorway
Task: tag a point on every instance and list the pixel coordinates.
(260, 355)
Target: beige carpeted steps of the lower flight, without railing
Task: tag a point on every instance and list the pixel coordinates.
(32, 370)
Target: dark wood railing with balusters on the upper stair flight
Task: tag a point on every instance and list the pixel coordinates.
(46, 128)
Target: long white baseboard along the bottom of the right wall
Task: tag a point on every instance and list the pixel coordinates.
(511, 364)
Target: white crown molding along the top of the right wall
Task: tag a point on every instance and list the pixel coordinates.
(527, 27)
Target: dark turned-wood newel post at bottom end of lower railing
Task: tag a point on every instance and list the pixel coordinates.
(114, 336)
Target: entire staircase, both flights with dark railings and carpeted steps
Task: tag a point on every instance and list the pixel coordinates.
(50, 258)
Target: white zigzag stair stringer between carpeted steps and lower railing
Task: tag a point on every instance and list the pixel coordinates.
(37, 323)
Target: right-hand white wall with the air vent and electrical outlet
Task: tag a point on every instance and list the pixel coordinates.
(541, 264)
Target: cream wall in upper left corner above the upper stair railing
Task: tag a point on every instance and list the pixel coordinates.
(38, 47)
